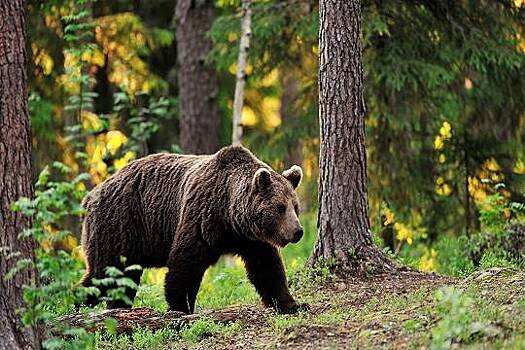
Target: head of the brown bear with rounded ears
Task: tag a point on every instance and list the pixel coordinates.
(275, 206)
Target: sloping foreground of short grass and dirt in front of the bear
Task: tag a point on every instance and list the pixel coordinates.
(405, 311)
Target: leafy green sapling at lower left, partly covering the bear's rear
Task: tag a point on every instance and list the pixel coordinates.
(57, 260)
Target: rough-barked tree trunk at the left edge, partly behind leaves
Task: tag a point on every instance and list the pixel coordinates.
(15, 175)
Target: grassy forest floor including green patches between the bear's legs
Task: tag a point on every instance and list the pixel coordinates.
(482, 307)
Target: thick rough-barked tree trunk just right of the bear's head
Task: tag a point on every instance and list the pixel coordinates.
(343, 223)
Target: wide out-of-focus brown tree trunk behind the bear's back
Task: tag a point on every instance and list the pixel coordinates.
(197, 80)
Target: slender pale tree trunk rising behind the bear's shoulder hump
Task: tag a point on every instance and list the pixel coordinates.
(244, 46)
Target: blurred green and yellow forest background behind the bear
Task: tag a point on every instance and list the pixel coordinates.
(111, 81)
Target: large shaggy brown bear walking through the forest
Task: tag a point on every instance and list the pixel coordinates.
(184, 212)
